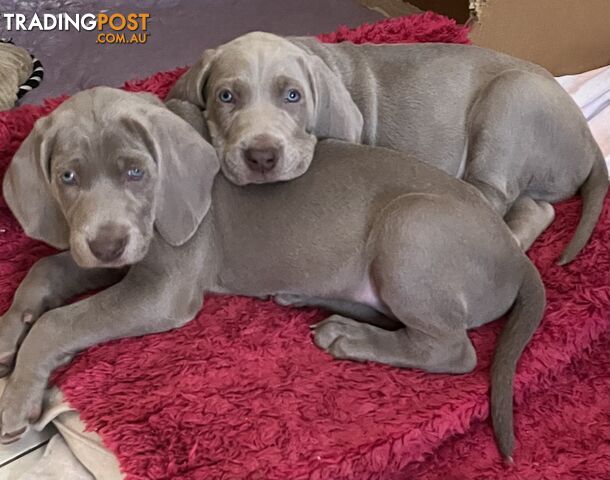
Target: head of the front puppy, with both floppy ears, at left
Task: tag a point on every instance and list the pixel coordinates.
(105, 169)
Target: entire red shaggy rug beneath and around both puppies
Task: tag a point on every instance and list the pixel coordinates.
(242, 392)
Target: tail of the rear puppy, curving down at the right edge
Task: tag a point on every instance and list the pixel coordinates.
(593, 192)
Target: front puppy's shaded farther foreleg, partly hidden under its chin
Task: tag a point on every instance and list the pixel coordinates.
(51, 282)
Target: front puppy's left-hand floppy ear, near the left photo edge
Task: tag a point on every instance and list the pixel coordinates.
(27, 187)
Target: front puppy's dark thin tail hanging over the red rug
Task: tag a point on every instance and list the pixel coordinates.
(523, 319)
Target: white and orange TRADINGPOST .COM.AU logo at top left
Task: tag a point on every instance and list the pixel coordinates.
(112, 28)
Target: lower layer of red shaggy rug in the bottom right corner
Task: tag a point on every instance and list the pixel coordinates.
(564, 433)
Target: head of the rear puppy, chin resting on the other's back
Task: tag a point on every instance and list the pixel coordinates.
(266, 102)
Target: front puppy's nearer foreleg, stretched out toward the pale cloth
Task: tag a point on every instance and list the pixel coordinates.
(144, 302)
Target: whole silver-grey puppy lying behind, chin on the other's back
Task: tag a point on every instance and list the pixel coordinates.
(502, 124)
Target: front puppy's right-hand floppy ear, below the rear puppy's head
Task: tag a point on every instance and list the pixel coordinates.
(187, 166)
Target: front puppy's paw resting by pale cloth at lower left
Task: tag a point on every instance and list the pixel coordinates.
(20, 405)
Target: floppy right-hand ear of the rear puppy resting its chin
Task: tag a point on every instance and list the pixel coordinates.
(335, 114)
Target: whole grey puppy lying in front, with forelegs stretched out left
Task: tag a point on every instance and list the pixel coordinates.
(121, 181)
